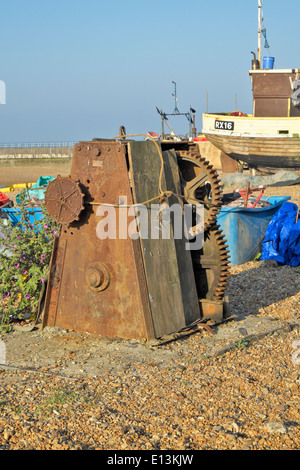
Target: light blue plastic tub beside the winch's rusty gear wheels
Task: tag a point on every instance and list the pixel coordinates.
(245, 227)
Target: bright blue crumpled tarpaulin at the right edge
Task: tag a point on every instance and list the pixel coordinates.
(282, 238)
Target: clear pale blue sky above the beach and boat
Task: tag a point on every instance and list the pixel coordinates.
(75, 69)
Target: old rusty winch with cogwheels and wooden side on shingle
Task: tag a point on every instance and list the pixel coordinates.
(133, 286)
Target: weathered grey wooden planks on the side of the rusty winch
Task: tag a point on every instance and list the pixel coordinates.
(168, 266)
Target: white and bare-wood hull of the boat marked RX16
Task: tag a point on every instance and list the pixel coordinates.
(259, 142)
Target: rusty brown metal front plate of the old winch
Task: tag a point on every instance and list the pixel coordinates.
(98, 286)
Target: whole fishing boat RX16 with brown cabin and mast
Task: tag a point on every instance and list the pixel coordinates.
(270, 136)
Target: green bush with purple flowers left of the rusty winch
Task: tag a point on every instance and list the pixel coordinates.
(24, 262)
